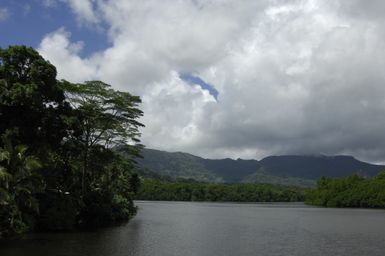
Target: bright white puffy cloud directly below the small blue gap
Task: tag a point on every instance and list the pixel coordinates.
(174, 111)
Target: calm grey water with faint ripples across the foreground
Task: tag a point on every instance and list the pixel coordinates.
(182, 229)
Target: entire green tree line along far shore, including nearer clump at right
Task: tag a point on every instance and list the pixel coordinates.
(353, 191)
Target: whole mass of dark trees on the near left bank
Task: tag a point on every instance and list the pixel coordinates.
(58, 165)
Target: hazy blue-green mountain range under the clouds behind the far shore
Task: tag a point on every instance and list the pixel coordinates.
(302, 170)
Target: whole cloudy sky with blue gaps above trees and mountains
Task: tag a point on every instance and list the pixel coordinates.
(225, 78)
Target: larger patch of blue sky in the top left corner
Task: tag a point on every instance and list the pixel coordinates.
(27, 23)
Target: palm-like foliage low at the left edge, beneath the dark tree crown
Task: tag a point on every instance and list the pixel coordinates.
(18, 183)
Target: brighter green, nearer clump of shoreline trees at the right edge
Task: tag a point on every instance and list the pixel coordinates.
(351, 191)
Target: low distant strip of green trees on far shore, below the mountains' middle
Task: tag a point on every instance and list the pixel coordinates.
(151, 189)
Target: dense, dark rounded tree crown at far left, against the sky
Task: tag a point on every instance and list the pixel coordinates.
(31, 103)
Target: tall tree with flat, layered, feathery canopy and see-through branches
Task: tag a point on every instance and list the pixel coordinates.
(107, 119)
